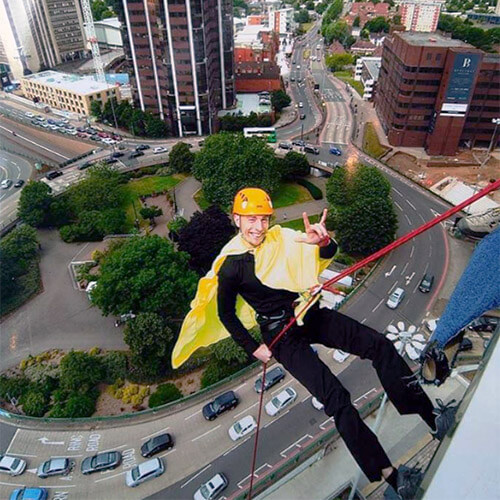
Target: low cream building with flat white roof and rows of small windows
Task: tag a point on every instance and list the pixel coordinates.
(67, 92)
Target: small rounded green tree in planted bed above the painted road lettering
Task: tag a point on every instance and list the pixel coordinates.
(80, 371)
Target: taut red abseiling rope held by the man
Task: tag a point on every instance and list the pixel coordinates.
(380, 253)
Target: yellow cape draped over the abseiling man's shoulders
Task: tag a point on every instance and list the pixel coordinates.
(280, 262)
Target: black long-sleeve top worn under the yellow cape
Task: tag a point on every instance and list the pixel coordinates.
(237, 276)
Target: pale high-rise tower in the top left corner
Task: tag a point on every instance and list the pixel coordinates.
(40, 34)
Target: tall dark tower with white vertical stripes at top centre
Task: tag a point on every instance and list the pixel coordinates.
(181, 53)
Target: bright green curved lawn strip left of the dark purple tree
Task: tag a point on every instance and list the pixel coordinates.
(143, 187)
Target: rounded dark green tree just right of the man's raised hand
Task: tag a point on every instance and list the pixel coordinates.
(367, 225)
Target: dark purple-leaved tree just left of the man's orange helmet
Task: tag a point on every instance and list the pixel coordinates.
(204, 236)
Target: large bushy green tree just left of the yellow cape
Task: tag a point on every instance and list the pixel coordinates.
(145, 274)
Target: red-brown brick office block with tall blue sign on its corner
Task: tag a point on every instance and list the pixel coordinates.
(437, 93)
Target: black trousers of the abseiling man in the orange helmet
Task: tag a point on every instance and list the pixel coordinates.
(333, 329)
